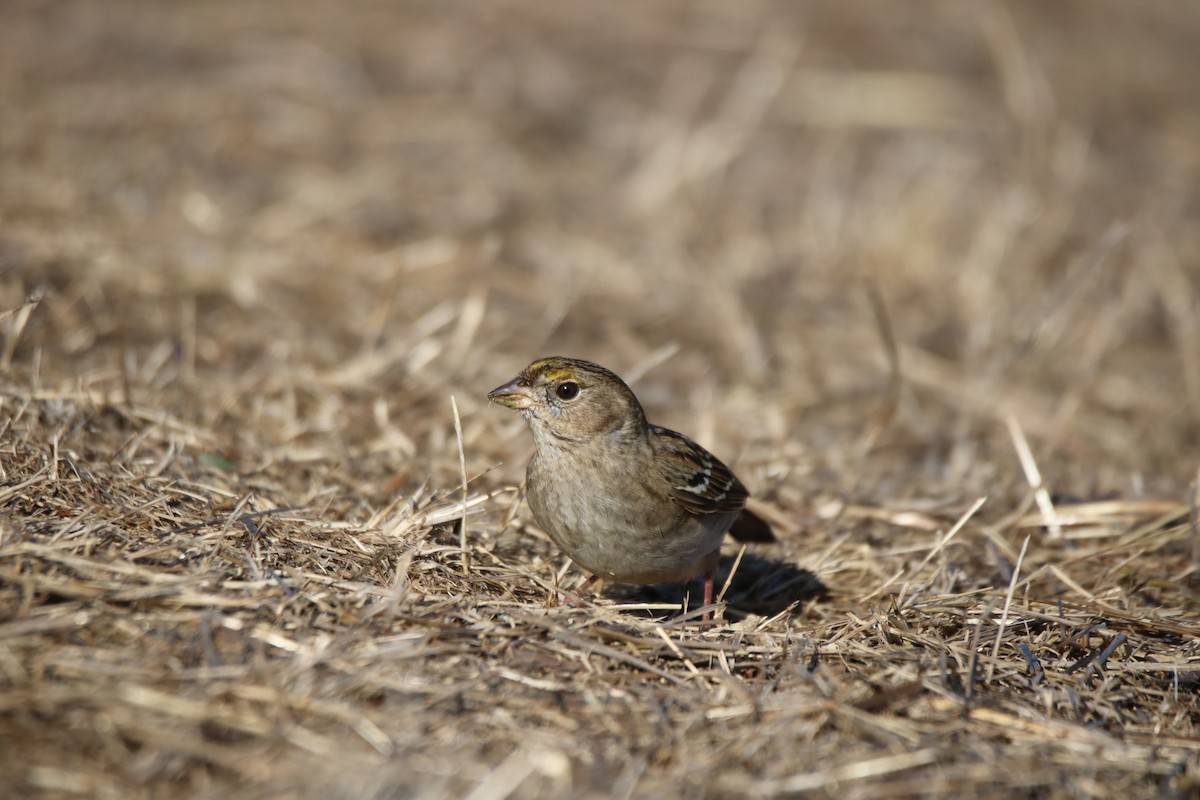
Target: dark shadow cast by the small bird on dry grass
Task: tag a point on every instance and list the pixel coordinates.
(761, 587)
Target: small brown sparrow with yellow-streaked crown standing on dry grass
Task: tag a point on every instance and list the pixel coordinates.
(628, 501)
